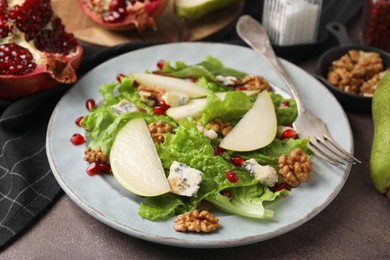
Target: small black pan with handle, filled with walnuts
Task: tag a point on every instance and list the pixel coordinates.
(352, 72)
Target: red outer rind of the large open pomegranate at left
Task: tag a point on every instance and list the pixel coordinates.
(16, 87)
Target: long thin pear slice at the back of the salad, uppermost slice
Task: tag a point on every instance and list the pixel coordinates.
(171, 84)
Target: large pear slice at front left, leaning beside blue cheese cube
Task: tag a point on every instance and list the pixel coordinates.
(135, 163)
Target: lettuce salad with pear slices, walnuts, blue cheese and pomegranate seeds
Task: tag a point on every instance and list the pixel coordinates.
(190, 139)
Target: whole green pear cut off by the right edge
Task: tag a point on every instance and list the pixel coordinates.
(380, 152)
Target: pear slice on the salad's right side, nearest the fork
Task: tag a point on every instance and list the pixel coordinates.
(256, 129)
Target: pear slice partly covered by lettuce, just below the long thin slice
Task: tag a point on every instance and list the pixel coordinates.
(194, 107)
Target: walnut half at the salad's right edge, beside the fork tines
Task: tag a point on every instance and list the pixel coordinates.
(295, 168)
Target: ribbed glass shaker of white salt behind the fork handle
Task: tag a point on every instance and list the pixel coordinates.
(292, 22)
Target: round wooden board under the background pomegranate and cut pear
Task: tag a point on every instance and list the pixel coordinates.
(168, 25)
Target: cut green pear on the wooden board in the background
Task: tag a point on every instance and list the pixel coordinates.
(195, 9)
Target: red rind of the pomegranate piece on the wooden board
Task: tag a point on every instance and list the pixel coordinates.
(135, 20)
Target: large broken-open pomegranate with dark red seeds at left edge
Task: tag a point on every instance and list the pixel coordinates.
(36, 53)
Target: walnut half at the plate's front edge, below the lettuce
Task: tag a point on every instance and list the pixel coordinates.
(196, 221)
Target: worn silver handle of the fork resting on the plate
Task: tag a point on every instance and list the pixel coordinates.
(256, 36)
